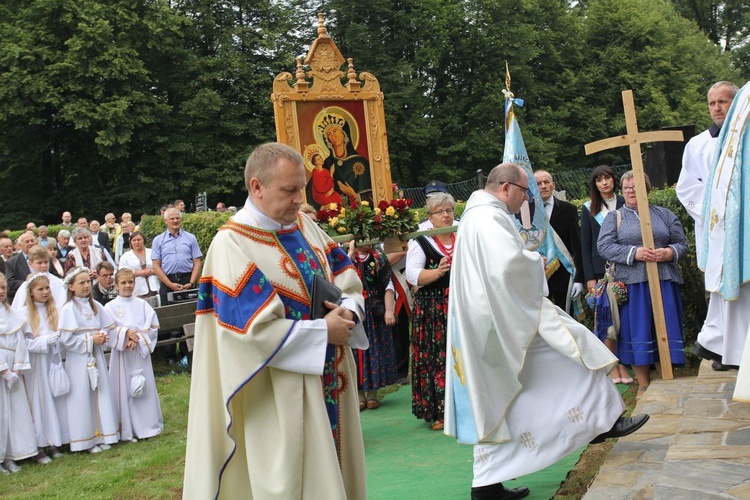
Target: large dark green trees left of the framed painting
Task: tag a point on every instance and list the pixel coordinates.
(127, 105)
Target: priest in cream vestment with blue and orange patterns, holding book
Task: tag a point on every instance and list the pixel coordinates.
(274, 412)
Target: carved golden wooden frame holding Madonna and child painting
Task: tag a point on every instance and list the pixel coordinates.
(338, 126)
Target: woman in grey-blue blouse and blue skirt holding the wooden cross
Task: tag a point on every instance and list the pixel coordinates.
(623, 245)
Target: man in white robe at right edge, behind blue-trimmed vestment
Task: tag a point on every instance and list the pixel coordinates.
(722, 337)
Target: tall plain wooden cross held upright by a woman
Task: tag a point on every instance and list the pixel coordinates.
(634, 139)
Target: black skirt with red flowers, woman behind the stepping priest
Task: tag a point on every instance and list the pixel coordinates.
(428, 354)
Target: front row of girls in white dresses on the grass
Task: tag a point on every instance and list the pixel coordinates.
(58, 387)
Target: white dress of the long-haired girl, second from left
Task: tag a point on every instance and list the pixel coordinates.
(49, 412)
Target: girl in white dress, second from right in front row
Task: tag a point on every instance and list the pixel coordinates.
(85, 327)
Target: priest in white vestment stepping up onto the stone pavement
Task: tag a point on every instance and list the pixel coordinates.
(505, 338)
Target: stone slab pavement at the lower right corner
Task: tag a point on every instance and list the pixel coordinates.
(695, 446)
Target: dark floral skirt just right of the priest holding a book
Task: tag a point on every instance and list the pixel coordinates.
(376, 366)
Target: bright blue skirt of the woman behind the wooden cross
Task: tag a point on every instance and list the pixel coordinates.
(637, 343)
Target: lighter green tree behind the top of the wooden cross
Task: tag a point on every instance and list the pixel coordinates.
(646, 46)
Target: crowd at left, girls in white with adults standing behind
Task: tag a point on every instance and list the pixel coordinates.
(62, 304)
